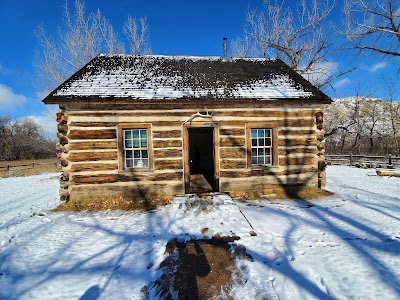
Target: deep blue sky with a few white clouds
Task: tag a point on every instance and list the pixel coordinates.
(177, 27)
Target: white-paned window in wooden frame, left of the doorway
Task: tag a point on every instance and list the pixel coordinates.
(134, 146)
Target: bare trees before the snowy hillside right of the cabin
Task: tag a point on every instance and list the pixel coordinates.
(362, 125)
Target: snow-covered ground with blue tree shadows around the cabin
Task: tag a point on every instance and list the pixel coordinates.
(345, 246)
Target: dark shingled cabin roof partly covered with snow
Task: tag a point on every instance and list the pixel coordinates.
(155, 78)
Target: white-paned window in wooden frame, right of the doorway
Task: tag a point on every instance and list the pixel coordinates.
(262, 145)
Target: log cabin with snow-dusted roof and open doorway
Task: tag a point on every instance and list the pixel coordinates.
(143, 128)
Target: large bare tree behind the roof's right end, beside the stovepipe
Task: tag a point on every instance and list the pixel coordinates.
(297, 36)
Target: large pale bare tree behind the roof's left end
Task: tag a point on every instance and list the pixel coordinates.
(81, 37)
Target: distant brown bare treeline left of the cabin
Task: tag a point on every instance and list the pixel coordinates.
(24, 139)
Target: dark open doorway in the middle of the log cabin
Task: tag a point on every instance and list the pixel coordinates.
(201, 160)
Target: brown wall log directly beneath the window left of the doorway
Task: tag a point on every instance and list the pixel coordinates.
(129, 177)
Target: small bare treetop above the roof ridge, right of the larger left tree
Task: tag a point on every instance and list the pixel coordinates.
(137, 34)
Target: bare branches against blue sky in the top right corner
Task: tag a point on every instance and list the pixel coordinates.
(373, 25)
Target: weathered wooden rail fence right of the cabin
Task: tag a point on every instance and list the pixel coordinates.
(363, 161)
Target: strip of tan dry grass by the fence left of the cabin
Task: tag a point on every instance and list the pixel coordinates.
(29, 167)
